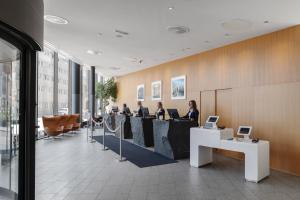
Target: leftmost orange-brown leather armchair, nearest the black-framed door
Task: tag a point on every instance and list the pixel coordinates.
(53, 126)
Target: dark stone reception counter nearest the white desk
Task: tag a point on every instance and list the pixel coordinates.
(172, 137)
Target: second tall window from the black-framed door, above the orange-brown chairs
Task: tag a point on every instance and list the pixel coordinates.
(63, 85)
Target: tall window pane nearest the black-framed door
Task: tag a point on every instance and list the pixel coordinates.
(45, 82)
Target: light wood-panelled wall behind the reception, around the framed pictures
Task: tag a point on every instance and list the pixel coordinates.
(264, 74)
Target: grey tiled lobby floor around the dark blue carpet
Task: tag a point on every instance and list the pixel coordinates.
(73, 169)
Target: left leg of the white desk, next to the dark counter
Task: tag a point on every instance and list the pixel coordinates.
(200, 156)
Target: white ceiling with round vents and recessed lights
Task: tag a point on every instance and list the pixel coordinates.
(149, 43)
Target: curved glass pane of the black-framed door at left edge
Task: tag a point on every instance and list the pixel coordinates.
(9, 120)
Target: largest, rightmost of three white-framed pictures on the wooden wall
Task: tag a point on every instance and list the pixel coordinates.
(178, 87)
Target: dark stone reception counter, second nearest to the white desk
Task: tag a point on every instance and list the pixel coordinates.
(142, 131)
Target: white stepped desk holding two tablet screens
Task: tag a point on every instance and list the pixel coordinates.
(256, 154)
